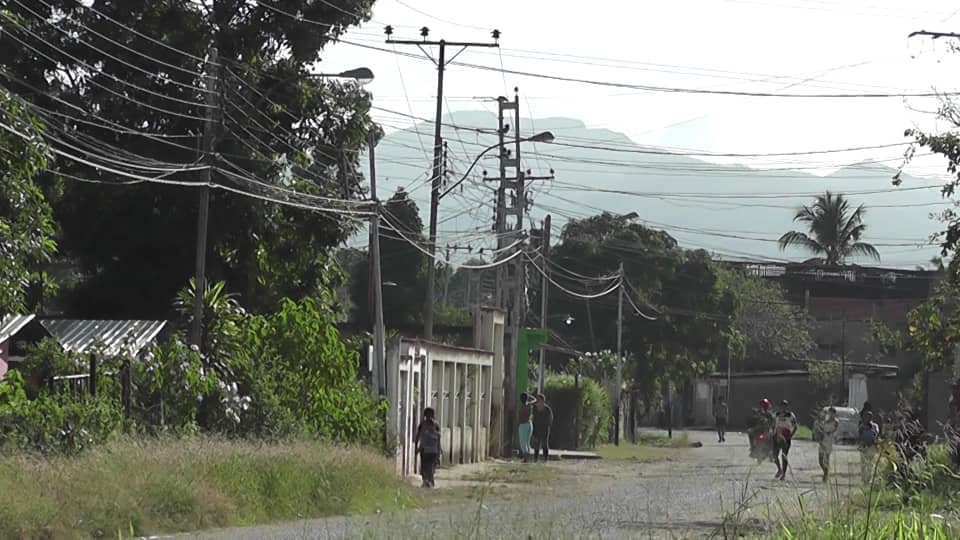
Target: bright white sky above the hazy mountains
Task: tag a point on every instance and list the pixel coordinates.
(768, 46)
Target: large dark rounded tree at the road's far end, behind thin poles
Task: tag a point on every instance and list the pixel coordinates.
(681, 290)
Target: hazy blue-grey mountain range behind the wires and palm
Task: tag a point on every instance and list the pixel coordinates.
(700, 203)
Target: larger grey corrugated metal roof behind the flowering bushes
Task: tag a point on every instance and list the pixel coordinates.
(115, 337)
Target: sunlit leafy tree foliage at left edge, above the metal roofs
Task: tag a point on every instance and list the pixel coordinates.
(26, 220)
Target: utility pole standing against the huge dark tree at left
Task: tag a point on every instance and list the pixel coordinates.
(203, 215)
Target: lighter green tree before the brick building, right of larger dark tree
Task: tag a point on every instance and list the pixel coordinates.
(777, 333)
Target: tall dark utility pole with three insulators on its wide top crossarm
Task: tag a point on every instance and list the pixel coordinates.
(441, 62)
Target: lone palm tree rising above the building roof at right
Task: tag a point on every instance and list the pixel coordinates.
(834, 230)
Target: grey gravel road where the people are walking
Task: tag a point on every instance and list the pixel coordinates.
(683, 498)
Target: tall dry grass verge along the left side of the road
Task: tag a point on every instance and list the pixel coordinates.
(145, 487)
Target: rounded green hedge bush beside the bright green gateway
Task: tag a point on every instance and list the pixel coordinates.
(596, 413)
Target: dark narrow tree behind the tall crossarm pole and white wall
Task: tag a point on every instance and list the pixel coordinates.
(402, 268)
